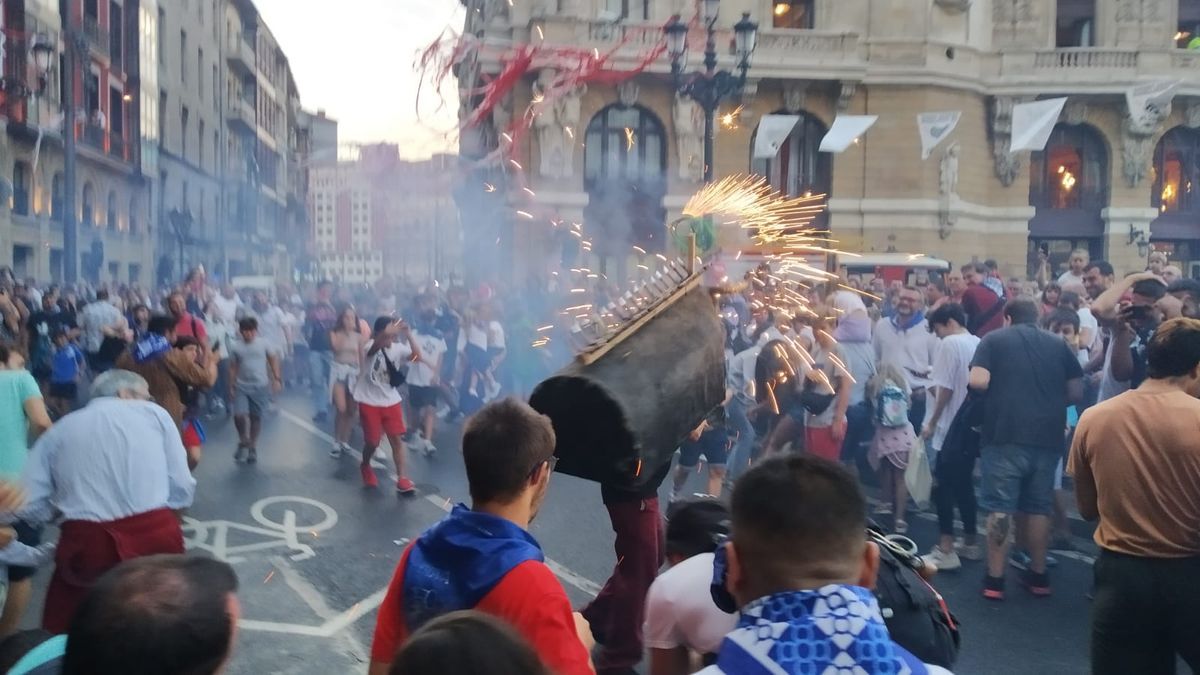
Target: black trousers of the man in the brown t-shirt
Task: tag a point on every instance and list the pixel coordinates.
(1145, 614)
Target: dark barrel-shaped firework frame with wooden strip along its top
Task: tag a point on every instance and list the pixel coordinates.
(622, 408)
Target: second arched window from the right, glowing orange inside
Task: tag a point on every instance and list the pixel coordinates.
(1072, 172)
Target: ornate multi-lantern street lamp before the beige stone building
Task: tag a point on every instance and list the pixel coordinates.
(711, 87)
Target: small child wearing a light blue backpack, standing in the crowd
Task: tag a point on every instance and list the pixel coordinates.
(895, 438)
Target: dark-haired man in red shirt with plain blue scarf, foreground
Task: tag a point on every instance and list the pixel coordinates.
(483, 558)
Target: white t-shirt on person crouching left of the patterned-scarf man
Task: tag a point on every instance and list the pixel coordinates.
(680, 610)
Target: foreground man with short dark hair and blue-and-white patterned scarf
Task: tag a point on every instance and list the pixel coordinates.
(801, 569)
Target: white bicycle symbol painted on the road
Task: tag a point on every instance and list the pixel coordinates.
(231, 541)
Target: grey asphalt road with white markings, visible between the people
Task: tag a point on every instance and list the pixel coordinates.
(315, 552)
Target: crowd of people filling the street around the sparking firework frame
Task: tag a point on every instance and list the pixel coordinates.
(1087, 379)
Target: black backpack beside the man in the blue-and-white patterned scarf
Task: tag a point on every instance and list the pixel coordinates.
(916, 614)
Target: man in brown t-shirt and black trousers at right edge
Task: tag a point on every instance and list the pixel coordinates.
(1137, 467)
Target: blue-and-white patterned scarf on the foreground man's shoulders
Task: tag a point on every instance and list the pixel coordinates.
(832, 631)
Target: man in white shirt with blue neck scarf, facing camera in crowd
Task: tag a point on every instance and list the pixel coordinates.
(905, 342)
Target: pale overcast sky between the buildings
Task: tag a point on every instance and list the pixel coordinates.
(357, 63)
